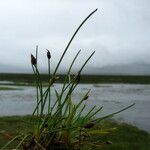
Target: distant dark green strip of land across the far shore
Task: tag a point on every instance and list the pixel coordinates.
(28, 79)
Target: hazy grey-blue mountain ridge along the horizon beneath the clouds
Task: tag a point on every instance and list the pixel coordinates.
(129, 69)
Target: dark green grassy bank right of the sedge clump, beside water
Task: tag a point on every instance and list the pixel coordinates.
(127, 137)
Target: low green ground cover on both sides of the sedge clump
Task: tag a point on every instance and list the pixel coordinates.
(125, 137)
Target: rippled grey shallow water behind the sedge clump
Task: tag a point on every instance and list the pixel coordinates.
(112, 97)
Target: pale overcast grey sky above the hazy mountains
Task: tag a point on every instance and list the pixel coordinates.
(119, 31)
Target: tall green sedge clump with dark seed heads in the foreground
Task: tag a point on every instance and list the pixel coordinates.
(62, 124)
